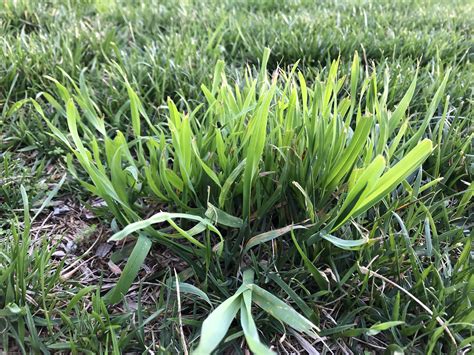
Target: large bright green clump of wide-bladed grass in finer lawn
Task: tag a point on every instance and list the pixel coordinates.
(262, 158)
